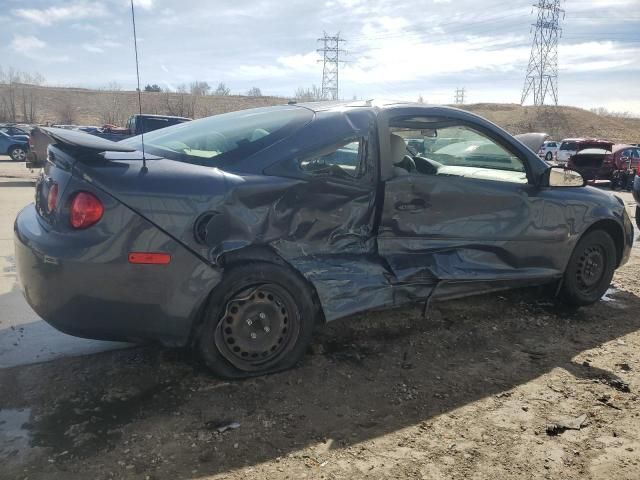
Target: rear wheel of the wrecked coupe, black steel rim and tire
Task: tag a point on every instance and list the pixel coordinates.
(259, 320)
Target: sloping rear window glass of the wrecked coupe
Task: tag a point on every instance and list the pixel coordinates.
(220, 139)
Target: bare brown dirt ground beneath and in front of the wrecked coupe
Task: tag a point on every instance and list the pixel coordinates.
(503, 386)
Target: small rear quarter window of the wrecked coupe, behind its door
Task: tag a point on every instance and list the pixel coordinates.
(344, 160)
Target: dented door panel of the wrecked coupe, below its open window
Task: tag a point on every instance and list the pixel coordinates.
(454, 228)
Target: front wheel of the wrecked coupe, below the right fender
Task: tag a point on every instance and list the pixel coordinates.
(590, 269)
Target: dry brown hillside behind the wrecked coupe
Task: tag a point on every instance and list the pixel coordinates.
(97, 107)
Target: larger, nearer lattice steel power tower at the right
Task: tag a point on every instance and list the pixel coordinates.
(542, 72)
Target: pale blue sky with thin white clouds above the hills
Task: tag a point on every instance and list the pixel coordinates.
(396, 49)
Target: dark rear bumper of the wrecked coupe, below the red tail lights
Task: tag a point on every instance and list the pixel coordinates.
(90, 290)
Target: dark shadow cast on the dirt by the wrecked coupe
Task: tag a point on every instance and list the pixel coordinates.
(363, 377)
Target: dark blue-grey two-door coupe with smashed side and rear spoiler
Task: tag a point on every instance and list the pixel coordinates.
(237, 233)
